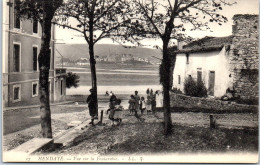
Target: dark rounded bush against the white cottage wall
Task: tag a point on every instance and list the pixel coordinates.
(195, 89)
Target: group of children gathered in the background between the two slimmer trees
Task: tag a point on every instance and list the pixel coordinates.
(135, 104)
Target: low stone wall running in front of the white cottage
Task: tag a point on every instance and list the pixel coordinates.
(209, 104)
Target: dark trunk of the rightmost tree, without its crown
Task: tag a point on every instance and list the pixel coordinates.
(166, 87)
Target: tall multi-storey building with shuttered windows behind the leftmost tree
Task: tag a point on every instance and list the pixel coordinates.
(21, 46)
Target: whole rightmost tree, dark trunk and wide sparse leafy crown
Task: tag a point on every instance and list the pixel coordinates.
(168, 20)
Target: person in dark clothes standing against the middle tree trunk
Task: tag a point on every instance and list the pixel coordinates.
(91, 101)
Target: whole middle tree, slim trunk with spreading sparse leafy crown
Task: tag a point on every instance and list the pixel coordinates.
(95, 20)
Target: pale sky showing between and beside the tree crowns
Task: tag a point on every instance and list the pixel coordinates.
(241, 7)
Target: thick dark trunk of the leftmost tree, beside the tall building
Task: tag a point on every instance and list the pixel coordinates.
(44, 64)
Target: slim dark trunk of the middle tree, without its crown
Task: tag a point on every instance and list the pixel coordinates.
(93, 73)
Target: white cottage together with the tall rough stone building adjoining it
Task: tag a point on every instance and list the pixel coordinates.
(223, 62)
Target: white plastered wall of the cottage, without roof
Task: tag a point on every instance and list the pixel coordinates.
(216, 61)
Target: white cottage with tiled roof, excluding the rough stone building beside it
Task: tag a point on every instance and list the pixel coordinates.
(204, 60)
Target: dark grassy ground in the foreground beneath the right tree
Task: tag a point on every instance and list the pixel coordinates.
(133, 137)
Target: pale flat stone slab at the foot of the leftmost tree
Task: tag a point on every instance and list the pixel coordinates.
(32, 145)
